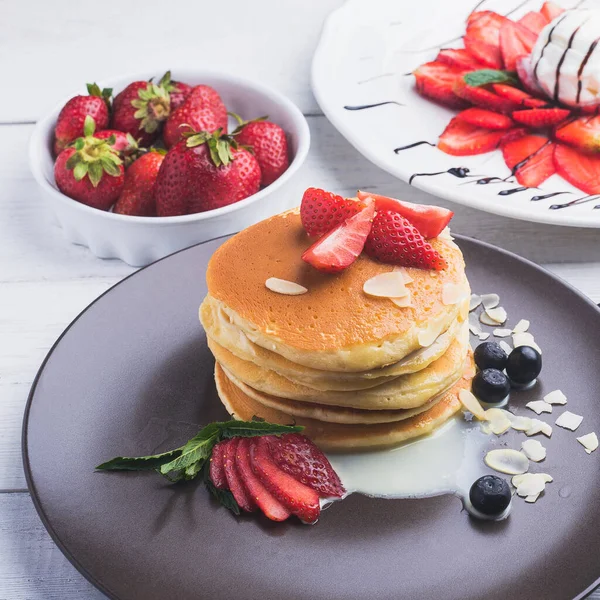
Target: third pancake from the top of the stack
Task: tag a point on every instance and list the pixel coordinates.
(408, 391)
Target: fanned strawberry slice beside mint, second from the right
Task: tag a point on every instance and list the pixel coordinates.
(298, 498)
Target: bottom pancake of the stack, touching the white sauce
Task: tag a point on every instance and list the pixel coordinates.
(337, 437)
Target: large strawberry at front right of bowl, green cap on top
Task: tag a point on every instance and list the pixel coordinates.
(202, 172)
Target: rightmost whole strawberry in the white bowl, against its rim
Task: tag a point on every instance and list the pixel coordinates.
(268, 144)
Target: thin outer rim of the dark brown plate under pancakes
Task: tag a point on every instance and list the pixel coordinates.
(30, 397)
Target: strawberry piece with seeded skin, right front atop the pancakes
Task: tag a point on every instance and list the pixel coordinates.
(395, 240)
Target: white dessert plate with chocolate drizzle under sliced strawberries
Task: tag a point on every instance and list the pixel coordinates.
(361, 77)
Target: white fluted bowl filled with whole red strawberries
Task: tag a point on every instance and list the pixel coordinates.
(149, 165)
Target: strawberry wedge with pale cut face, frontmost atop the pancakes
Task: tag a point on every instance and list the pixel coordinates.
(339, 248)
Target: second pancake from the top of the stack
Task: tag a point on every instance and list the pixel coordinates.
(226, 334)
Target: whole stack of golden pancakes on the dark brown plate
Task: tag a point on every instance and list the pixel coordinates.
(357, 371)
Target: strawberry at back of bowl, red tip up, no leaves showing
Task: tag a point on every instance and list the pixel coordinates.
(202, 110)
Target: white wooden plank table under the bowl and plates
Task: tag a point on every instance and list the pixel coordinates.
(47, 50)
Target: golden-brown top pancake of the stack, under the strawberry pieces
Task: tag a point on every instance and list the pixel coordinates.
(335, 326)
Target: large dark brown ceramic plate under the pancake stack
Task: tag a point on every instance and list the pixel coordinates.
(133, 375)
